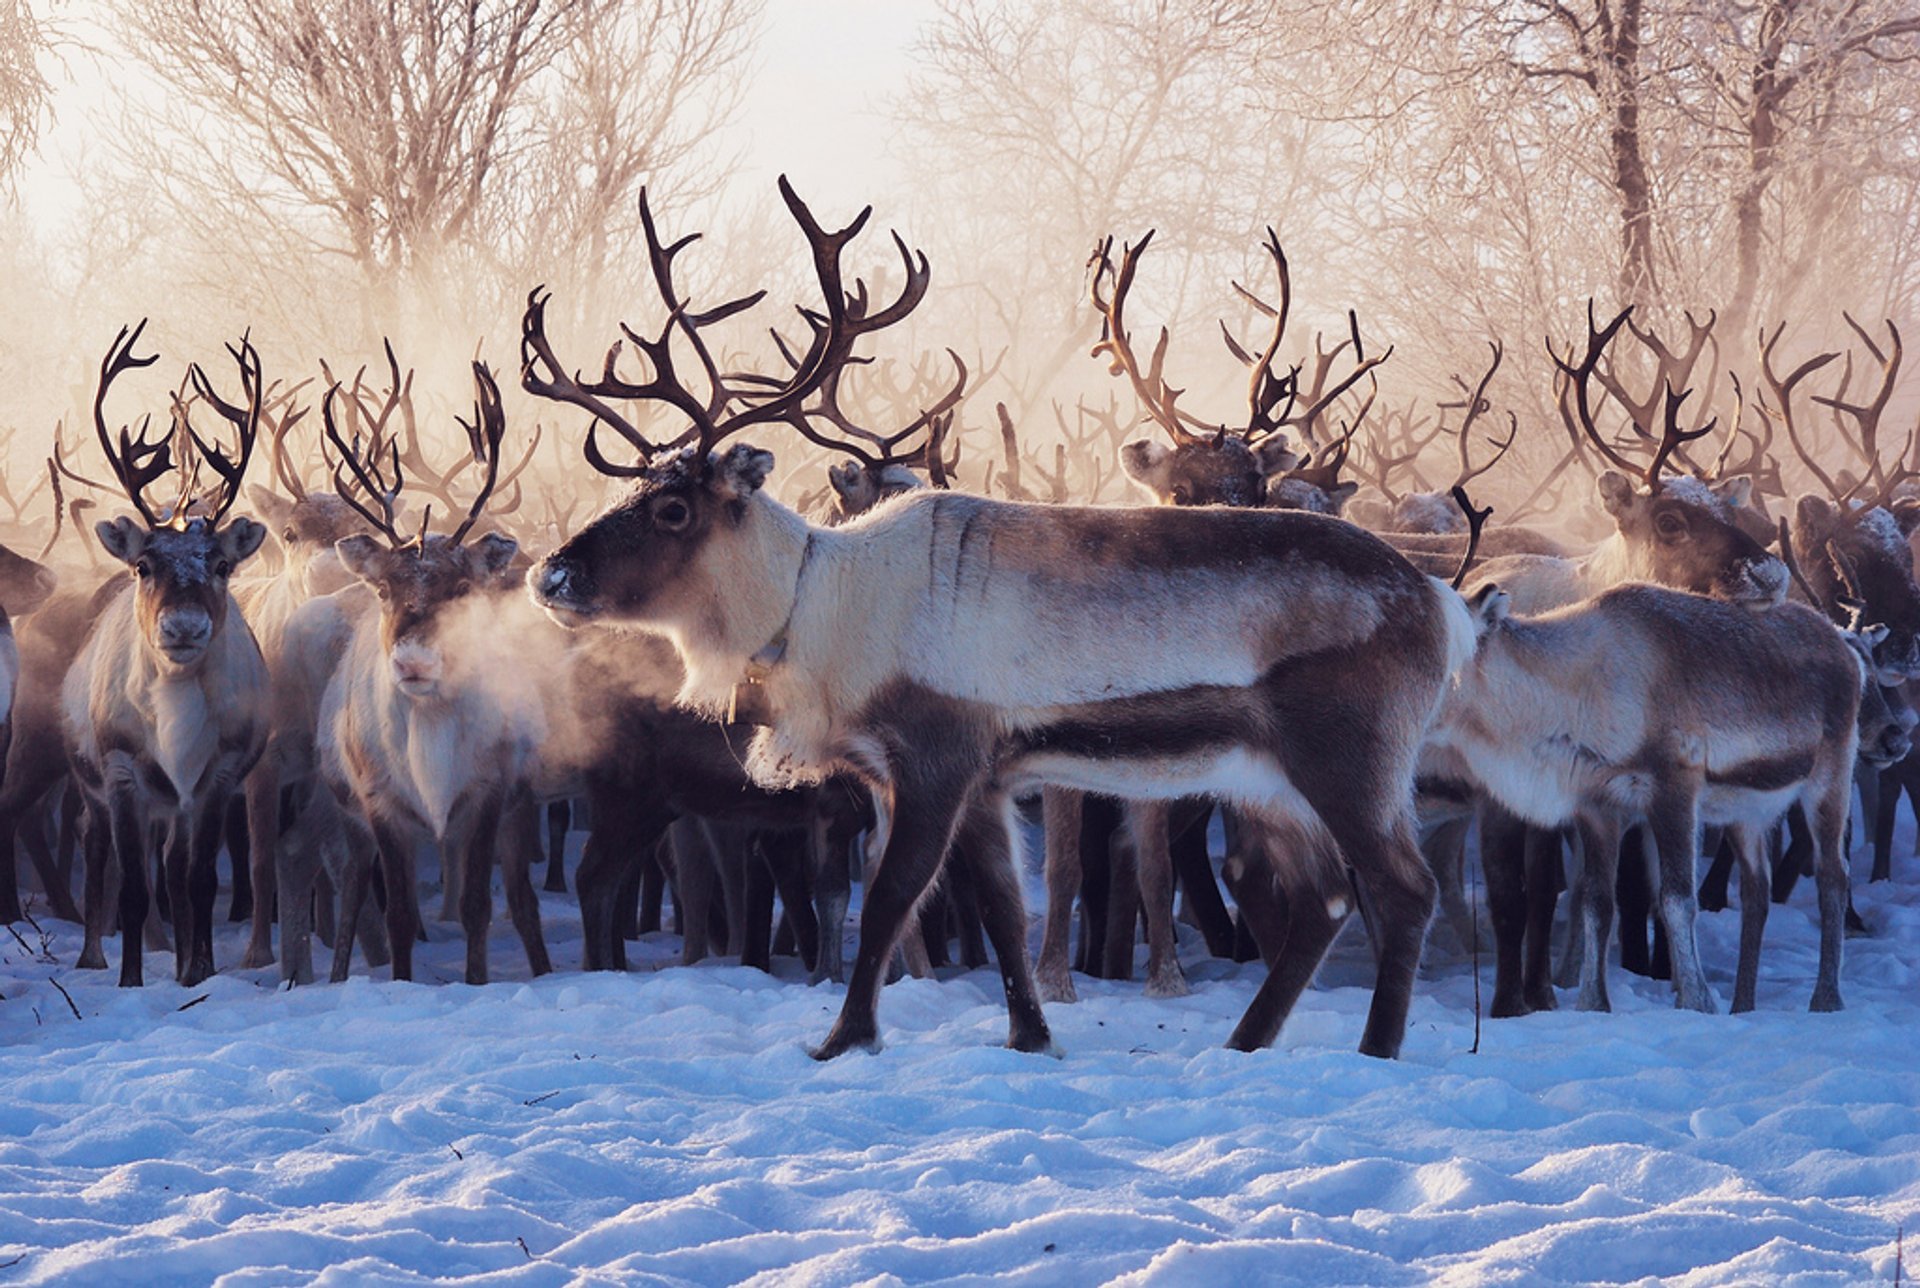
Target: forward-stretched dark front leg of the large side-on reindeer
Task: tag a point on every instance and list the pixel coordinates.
(923, 830)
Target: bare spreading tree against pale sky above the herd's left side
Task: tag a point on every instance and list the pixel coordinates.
(421, 141)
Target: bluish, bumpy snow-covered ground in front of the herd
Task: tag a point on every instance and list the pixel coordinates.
(669, 1128)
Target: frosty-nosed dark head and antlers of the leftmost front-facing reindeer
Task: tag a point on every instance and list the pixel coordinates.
(181, 558)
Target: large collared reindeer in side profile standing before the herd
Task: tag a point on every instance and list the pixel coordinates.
(1284, 661)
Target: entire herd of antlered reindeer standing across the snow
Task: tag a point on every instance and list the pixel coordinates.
(744, 704)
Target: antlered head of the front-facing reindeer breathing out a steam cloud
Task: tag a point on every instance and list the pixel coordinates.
(421, 581)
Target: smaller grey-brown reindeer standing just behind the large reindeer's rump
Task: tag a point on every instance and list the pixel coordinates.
(1652, 707)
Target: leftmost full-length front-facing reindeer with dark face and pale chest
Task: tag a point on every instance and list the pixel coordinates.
(166, 704)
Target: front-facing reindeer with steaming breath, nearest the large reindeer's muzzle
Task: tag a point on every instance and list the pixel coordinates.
(416, 730)
